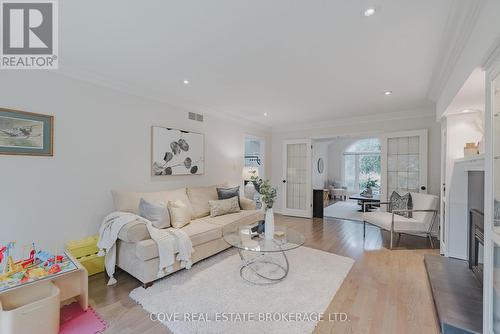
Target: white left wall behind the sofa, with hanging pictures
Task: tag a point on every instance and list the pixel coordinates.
(102, 141)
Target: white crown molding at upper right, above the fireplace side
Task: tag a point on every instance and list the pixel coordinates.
(460, 23)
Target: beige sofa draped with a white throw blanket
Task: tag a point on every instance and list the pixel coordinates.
(137, 253)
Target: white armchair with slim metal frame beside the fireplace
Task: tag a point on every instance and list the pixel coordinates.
(424, 214)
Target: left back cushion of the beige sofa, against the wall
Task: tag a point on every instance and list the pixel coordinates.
(129, 200)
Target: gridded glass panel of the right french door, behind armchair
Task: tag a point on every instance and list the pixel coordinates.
(403, 164)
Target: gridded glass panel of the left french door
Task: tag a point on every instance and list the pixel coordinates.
(296, 176)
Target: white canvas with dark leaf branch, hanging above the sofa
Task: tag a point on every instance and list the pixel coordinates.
(177, 152)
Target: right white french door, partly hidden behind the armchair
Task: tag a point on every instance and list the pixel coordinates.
(404, 162)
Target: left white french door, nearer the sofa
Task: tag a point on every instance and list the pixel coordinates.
(297, 190)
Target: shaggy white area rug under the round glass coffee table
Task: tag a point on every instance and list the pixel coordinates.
(214, 286)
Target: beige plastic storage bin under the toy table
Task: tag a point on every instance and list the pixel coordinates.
(30, 309)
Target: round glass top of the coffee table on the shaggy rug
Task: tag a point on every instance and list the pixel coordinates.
(285, 239)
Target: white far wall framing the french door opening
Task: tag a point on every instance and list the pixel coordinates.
(364, 127)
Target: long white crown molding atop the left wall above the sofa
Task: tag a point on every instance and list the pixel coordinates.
(138, 91)
